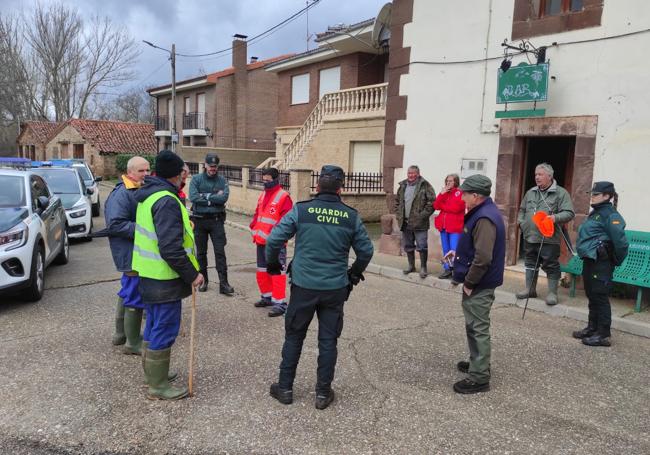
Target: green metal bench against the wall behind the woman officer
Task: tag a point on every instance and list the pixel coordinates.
(635, 270)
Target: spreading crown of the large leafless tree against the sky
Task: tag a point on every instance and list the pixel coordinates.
(65, 62)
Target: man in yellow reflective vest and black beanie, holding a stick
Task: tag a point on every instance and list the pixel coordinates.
(164, 257)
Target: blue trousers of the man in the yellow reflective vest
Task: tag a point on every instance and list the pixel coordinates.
(162, 325)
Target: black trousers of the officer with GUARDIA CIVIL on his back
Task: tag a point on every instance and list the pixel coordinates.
(328, 305)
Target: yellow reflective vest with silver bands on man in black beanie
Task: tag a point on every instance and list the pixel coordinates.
(147, 260)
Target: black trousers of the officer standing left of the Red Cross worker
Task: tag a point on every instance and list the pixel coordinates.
(213, 228)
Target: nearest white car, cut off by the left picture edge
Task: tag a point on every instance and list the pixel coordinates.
(32, 232)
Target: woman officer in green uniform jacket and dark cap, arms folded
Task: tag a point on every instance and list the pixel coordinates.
(601, 245)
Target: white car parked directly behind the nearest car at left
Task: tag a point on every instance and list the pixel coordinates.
(66, 183)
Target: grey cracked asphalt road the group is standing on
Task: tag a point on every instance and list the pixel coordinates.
(67, 390)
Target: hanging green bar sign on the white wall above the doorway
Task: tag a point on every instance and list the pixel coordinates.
(522, 83)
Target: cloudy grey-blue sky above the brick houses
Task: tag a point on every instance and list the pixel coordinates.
(202, 26)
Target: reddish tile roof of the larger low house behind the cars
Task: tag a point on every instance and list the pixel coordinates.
(110, 137)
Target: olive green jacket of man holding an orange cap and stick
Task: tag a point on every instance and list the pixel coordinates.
(554, 201)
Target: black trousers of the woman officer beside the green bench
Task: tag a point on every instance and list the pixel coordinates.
(597, 277)
